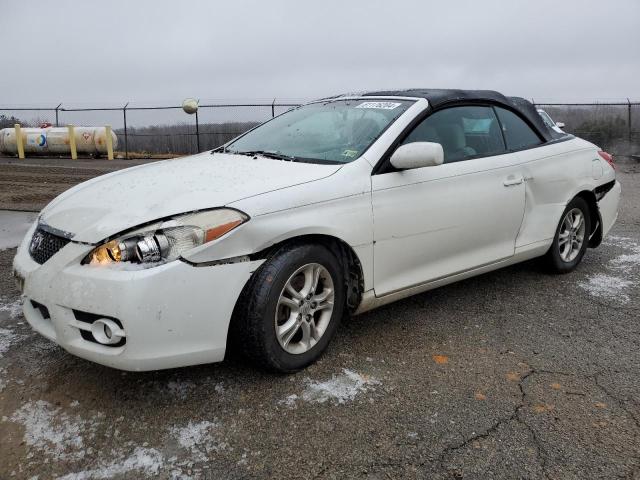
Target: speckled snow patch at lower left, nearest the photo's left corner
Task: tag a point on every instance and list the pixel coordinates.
(53, 432)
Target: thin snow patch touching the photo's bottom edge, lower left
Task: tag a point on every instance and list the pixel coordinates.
(147, 461)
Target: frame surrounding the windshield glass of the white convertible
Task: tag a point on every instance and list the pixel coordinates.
(410, 100)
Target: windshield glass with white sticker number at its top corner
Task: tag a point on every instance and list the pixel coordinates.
(335, 131)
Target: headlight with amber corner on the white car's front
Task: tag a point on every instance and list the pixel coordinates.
(167, 240)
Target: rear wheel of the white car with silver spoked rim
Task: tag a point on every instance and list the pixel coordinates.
(559, 258)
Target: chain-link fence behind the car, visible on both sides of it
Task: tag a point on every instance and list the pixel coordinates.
(152, 130)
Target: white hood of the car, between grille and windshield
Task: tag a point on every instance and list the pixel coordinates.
(112, 203)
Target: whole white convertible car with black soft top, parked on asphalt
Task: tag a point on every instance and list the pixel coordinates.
(333, 208)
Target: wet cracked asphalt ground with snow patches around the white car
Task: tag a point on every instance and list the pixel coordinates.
(513, 374)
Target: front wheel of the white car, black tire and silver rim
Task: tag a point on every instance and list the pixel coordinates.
(267, 311)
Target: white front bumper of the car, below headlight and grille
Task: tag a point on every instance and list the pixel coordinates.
(173, 315)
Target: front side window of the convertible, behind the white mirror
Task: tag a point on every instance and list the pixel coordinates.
(463, 132)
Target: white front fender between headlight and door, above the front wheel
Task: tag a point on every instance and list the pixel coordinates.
(338, 206)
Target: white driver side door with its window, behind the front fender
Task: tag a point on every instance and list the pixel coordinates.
(434, 222)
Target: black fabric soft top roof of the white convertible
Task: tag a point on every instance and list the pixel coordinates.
(440, 97)
